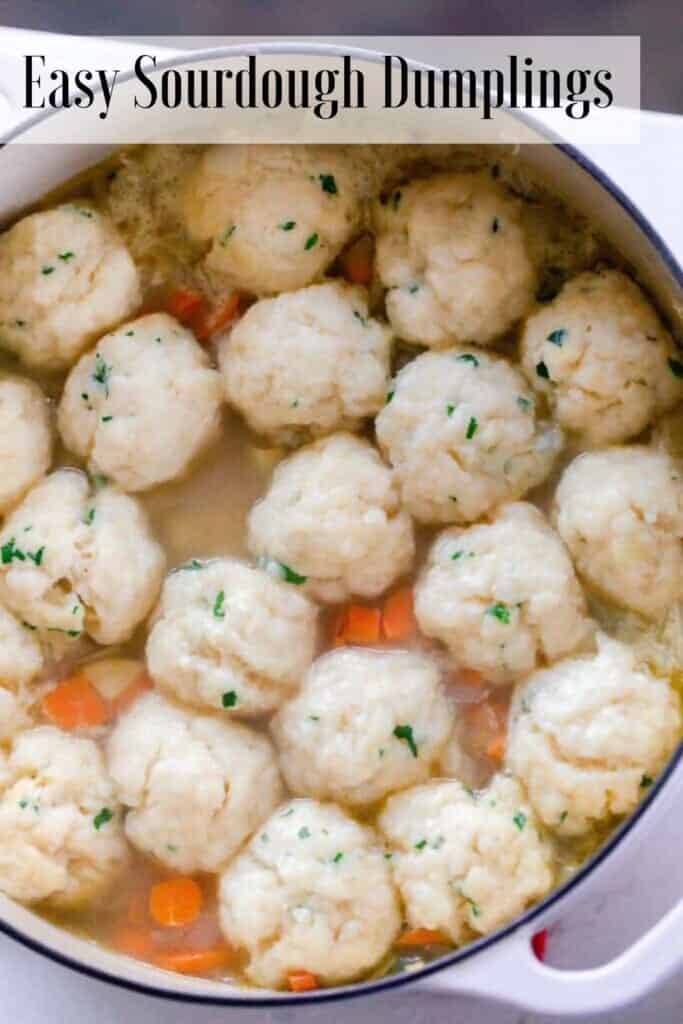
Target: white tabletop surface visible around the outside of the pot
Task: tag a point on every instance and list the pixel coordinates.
(33, 991)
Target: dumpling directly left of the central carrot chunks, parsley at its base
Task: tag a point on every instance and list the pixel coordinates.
(231, 637)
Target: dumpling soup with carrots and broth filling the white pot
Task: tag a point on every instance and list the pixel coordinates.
(340, 558)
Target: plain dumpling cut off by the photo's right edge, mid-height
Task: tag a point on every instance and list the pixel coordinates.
(621, 515)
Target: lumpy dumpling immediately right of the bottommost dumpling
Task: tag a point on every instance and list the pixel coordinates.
(465, 862)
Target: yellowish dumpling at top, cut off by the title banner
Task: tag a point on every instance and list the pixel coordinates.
(276, 217)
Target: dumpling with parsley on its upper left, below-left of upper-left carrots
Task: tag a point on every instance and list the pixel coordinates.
(143, 404)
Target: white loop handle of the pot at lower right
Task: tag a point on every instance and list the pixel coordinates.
(511, 973)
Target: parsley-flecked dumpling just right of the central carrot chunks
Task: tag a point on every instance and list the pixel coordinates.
(503, 596)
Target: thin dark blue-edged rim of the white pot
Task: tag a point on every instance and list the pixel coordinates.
(450, 960)
